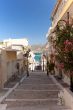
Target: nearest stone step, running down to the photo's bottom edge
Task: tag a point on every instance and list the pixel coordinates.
(37, 105)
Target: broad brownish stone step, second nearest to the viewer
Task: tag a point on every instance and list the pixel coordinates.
(33, 94)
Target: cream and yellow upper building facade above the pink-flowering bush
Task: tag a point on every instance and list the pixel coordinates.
(60, 11)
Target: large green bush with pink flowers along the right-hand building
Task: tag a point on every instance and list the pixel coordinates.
(64, 46)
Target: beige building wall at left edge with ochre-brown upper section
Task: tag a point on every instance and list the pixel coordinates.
(7, 66)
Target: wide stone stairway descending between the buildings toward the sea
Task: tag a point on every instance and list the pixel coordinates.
(36, 92)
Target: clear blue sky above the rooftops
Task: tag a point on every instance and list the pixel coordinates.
(25, 18)
